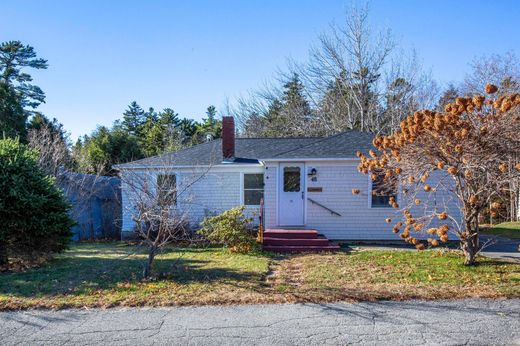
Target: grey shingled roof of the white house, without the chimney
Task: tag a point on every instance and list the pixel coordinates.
(342, 145)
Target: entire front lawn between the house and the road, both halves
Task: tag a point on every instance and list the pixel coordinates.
(109, 274)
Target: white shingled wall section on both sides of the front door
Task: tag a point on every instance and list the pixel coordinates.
(358, 219)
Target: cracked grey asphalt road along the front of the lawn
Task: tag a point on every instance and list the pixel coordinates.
(474, 322)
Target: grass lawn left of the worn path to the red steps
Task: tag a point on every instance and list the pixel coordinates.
(101, 274)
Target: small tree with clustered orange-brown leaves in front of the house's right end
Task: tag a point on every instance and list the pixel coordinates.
(472, 150)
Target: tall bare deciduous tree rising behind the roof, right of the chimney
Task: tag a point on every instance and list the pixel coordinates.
(355, 79)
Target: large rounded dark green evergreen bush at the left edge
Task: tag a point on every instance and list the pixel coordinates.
(33, 213)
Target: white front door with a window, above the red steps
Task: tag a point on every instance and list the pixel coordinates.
(291, 194)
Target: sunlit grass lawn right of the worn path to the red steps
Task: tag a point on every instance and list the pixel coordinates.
(401, 274)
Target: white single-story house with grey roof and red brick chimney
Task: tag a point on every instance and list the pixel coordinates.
(305, 183)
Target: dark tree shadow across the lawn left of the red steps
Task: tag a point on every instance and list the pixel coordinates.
(75, 274)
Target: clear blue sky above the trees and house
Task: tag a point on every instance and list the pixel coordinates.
(189, 54)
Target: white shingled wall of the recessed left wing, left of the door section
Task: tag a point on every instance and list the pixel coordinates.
(201, 192)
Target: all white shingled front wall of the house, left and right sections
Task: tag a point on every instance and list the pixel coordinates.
(220, 188)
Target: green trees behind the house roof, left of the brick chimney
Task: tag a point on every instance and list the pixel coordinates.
(141, 134)
